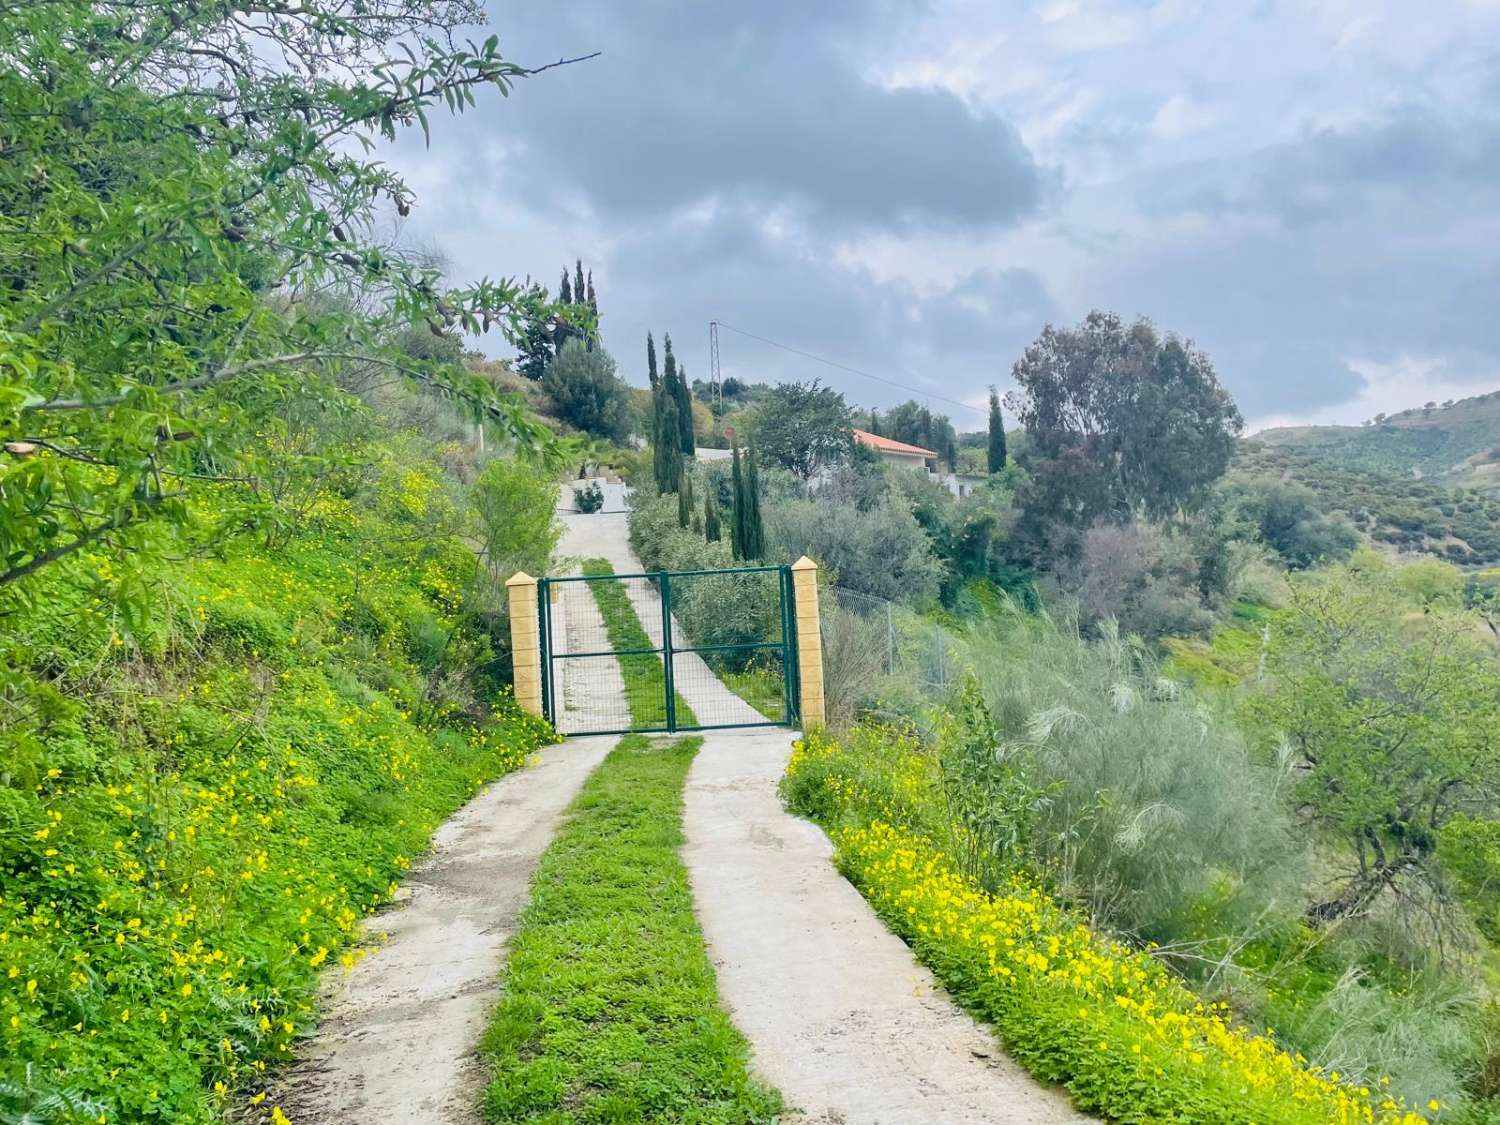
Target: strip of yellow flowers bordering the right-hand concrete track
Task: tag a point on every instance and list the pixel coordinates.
(1115, 1016)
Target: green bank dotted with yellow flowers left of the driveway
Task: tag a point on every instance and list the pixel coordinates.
(196, 814)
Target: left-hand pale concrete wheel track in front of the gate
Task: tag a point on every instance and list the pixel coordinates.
(400, 1037)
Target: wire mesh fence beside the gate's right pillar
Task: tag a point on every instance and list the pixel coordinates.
(881, 656)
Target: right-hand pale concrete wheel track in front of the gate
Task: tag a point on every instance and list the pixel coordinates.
(841, 1016)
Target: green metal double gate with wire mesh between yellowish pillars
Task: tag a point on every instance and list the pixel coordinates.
(688, 650)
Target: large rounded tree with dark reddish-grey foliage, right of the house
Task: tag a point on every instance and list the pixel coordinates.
(1118, 419)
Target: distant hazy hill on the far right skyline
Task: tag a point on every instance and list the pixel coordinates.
(1456, 443)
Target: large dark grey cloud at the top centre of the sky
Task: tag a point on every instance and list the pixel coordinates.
(761, 104)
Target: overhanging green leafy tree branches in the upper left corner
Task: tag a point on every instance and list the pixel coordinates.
(176, 179)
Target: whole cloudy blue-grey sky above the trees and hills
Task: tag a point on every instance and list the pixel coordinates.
(1309, 190)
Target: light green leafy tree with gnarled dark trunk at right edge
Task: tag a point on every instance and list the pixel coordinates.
(1388, 715)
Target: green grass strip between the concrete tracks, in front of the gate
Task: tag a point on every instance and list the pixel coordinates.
(610, 1009)
